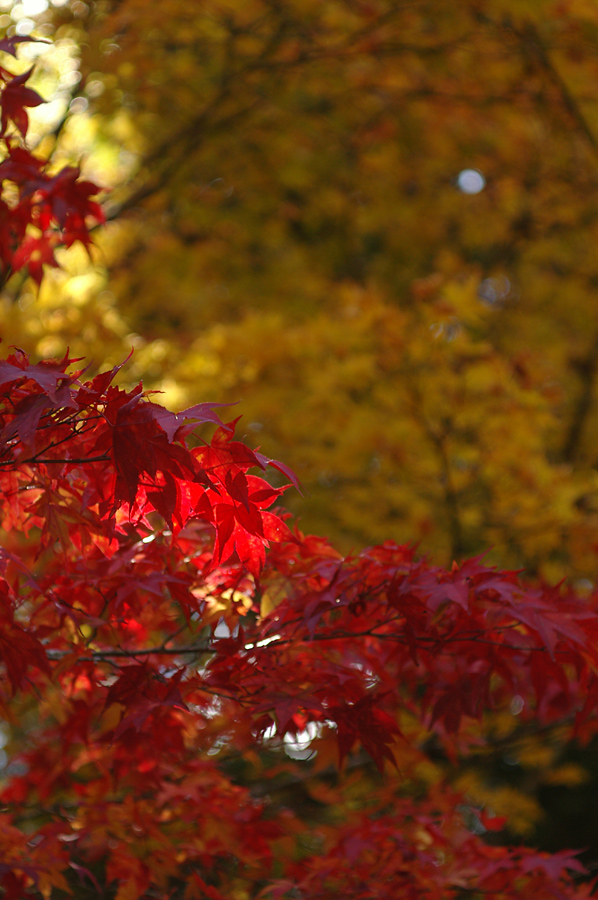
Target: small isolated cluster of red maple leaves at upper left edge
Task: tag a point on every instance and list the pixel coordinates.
(38, 211)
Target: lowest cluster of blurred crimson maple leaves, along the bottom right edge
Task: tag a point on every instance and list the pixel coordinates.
(421, 849)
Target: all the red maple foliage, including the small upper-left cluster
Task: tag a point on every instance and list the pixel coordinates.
(200, 701)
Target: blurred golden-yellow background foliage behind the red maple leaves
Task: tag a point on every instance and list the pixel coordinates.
(373, 224)
